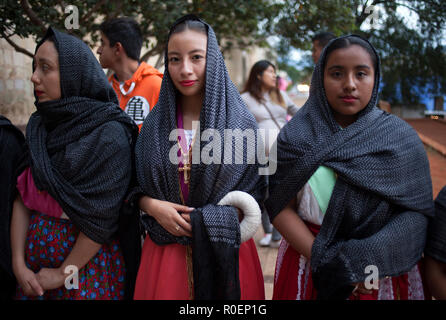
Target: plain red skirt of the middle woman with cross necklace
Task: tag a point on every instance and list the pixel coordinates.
(163, 275)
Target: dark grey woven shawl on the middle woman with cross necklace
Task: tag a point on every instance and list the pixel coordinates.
(216, 231)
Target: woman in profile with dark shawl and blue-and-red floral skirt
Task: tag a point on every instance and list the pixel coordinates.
(74, 179)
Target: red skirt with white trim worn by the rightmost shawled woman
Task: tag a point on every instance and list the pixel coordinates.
(293, 281)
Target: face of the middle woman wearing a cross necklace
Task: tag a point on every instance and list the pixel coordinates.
(186, 54)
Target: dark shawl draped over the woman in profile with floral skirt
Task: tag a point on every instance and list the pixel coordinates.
(80, 145)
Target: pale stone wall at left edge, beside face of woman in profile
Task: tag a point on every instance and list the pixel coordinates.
(16, 88)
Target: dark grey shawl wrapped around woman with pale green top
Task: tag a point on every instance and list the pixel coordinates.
(377, 214)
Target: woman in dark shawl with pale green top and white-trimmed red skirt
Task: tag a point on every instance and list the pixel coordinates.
(357, 227)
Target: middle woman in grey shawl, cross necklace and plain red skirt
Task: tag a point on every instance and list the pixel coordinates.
(196, 248)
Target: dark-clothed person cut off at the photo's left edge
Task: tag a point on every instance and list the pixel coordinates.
(11, 150)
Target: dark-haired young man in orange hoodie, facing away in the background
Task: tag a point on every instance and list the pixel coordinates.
(137, 84)
